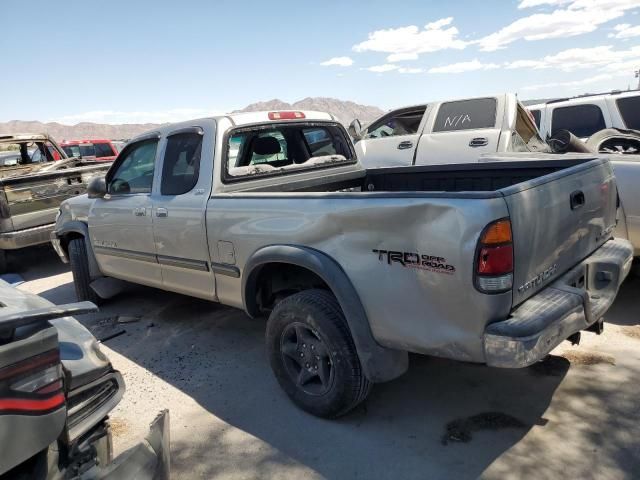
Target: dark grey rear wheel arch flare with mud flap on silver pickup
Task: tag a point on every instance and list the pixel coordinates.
(380, 364)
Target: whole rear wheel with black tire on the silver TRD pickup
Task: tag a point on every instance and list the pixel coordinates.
(310, 320)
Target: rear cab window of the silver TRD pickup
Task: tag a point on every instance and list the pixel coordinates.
(283, 148)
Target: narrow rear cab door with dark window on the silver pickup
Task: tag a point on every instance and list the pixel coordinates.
(179, 206)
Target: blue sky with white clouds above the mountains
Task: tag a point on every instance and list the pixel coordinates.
(136, 61)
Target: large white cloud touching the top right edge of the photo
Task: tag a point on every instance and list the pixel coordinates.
(577, 18)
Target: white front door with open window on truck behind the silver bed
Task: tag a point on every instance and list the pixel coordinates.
(391, 140)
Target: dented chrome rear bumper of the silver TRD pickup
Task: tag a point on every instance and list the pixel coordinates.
(570, 304)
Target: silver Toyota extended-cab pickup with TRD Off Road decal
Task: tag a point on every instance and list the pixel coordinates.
(272, 213)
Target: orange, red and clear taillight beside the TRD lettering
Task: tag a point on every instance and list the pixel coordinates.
(494, 267)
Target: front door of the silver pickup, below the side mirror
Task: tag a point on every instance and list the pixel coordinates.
(120, 224)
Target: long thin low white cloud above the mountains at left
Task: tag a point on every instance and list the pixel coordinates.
(118, 117)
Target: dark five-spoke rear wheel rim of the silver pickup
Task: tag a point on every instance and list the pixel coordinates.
(307, 359)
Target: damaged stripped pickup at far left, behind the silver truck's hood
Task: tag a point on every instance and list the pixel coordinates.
(32, 188)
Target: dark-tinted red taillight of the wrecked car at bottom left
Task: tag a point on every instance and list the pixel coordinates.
(32, 385)
